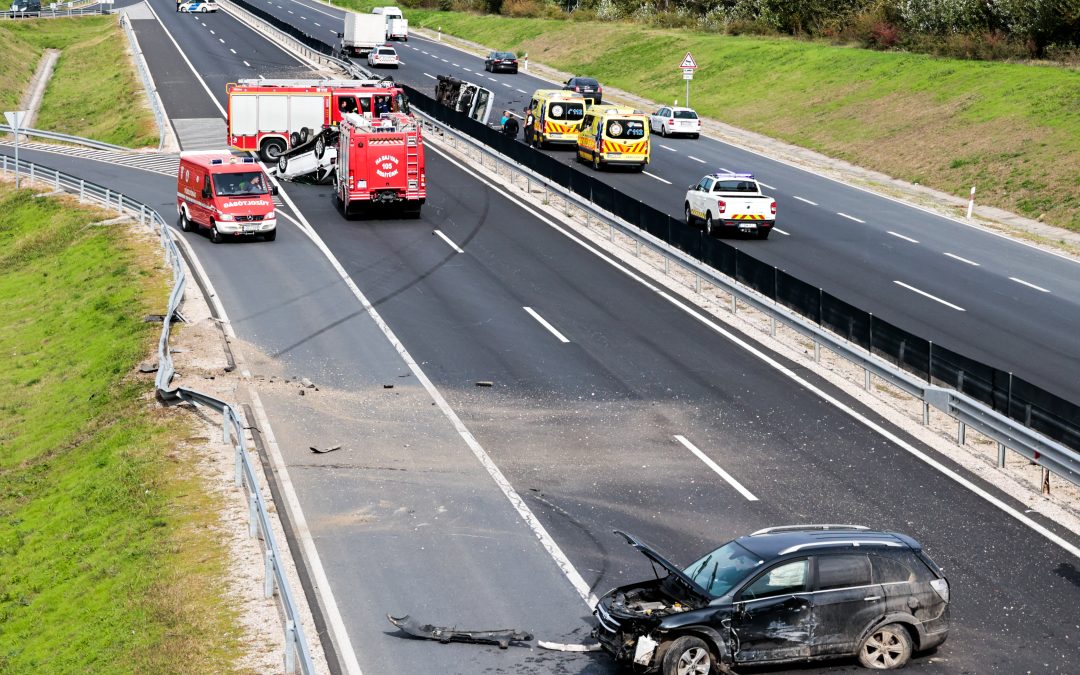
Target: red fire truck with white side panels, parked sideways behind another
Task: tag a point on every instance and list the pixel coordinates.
(273, 116)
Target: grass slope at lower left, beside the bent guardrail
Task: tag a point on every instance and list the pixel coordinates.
(109, 561)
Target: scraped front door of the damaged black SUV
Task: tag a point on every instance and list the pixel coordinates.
(774, 614)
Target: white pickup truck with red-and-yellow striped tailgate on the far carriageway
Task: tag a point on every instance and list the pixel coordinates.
(731, 201)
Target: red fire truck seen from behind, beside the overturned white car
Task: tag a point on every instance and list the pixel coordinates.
(381, 161)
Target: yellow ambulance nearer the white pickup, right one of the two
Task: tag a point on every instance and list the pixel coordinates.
(615, 136)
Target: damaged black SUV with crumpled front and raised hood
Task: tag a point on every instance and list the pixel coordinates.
(782, 595)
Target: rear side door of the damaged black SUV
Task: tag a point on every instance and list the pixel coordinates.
(846, 602)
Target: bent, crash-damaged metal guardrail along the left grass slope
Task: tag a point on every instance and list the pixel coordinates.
(298, 652)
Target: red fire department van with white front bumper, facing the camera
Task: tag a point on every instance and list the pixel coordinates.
(225, 194)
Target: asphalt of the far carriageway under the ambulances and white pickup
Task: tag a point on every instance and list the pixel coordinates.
(994, 300)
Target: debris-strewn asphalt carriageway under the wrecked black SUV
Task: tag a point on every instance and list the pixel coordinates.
(601, 386)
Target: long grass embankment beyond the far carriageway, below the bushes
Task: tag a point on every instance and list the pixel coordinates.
(1011, 130)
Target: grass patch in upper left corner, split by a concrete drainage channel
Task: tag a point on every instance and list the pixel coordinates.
(94, 91)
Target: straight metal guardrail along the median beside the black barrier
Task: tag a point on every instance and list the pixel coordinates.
(1049, 454)
